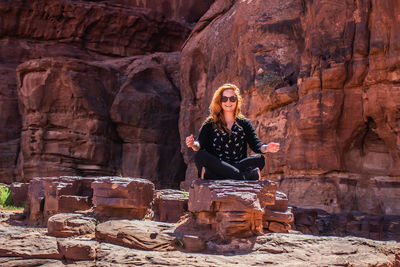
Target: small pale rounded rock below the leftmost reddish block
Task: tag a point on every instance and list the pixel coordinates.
(69, 224)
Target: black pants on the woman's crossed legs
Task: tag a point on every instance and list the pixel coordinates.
(217, 169)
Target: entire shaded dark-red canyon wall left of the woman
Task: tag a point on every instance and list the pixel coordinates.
(93, 76)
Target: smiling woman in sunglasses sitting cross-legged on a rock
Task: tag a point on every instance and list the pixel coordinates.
(222, 143)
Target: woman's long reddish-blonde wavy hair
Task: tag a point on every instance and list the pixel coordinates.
(216, 112)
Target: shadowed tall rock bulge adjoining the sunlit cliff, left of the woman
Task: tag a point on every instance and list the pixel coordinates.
(145, 112)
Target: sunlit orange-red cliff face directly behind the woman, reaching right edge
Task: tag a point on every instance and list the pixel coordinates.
(321, 78)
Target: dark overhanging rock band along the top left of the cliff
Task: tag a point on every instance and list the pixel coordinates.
(106, 28)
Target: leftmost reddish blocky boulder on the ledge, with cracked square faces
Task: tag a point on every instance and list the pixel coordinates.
(51, 195)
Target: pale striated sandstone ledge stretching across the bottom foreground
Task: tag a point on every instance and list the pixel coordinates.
(31, 247)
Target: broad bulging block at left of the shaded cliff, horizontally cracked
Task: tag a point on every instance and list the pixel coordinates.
(66, 128)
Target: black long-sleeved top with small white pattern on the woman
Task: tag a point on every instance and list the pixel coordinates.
(230, 148)
